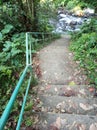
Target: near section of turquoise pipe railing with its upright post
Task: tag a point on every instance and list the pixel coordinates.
(10, 104)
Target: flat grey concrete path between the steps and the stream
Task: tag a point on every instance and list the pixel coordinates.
(57, 65)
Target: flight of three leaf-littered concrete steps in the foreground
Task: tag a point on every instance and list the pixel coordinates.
(62, 107)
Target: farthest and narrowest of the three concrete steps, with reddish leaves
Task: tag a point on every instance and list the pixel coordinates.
(67, 90)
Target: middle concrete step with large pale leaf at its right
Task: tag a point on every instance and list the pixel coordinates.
(70, 105)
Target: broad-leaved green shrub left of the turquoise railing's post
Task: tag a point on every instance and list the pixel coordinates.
(12, 47)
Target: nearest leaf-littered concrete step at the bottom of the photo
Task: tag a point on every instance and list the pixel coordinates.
(49, 121)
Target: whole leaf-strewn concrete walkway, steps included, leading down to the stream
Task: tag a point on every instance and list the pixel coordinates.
(64, 101)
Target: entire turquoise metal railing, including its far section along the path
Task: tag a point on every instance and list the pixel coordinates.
(40, 37)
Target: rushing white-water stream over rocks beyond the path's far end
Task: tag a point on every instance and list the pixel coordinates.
(67, 21)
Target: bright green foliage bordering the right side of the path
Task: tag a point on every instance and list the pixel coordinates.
(84, 46)
